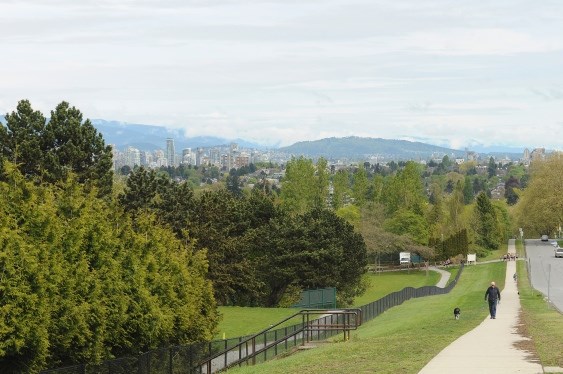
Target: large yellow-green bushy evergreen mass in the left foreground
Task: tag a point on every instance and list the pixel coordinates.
(82, 282)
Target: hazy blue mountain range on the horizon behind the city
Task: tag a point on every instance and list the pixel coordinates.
(152, 137)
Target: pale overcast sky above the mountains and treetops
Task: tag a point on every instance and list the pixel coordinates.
(460, 74)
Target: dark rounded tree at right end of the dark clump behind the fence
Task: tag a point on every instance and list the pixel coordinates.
(313, 250)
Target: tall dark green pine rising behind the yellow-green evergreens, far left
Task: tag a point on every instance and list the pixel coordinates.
(51, 151)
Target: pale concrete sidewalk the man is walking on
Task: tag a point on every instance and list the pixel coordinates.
(491, 346)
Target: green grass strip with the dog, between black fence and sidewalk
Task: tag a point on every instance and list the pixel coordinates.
(404, 338)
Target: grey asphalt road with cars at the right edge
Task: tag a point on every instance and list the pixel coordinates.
(546, 270)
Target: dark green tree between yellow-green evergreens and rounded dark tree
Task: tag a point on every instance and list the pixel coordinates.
(222, 225)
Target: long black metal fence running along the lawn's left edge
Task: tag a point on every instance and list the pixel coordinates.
(188, 359)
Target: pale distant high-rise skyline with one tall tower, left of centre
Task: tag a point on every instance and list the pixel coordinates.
(225, 158)
